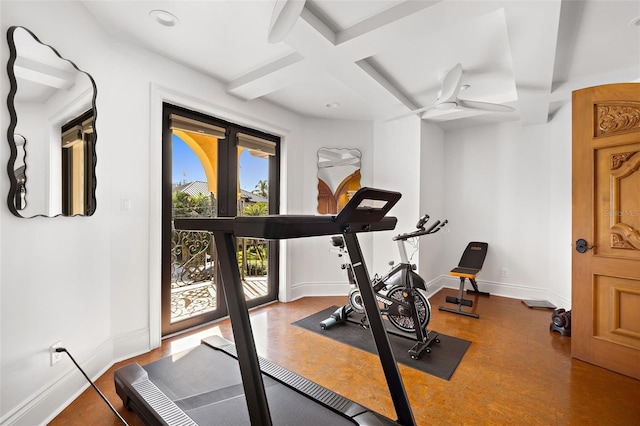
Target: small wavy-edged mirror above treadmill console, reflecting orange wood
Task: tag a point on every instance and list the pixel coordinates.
(338, 178)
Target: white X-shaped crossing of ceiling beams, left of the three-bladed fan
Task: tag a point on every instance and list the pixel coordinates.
(321, 50)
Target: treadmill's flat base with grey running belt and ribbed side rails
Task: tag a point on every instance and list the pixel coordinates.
(205, 384)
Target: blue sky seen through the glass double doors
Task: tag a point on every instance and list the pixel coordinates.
(187, 167)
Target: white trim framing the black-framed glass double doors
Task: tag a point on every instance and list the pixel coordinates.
(159, 95)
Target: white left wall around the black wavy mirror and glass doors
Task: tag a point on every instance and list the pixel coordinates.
(88, 281)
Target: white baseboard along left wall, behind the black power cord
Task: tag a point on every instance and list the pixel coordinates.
(52, 398)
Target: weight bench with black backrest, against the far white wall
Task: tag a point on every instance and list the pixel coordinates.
(469, 266)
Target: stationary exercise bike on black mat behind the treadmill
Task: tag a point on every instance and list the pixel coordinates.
(397, 292)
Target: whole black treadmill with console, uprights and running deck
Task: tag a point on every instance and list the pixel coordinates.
(219, 382)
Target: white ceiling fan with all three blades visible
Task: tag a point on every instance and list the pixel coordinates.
(448, 97)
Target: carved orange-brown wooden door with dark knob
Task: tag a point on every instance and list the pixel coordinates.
(606, 222)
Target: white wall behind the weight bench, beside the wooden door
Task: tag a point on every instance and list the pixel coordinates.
(503, 185)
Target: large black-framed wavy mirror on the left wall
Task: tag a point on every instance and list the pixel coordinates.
(52, 105)
